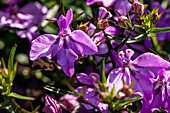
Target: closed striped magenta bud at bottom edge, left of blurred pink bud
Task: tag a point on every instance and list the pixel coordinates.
(51, 106)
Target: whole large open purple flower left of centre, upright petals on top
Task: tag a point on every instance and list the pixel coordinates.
(64, 46)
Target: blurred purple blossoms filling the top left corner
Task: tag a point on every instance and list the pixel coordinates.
(28, 17)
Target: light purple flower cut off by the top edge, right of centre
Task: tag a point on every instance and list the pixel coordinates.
(106, 3)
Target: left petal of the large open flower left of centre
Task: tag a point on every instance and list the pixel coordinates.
(44, 46)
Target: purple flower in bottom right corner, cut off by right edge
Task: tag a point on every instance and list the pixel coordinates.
(161, 94)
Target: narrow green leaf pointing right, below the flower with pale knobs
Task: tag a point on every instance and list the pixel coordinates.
(124, 102)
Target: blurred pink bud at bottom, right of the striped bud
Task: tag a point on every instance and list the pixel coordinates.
(69, 102)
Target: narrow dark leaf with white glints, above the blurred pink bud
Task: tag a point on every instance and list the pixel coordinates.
(57, 90)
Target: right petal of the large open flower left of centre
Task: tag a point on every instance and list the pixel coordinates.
(81, 43)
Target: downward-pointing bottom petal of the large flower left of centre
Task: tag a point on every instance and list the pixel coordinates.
(66, 58)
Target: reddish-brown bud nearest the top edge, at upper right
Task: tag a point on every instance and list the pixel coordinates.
(137, 7)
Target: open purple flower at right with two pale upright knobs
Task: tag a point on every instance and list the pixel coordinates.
(141, 69)
